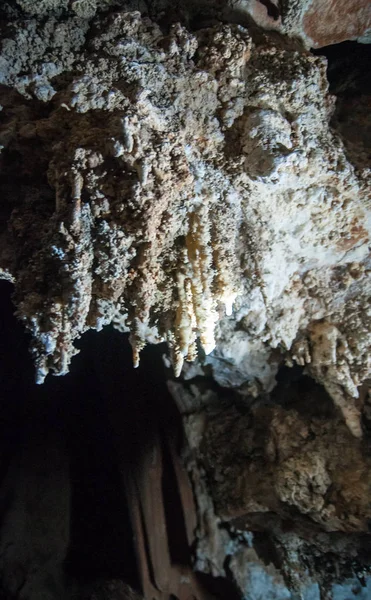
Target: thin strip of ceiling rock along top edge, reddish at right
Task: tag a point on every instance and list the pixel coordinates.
(314, 22)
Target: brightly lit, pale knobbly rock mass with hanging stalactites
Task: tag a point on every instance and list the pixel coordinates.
(190, 187)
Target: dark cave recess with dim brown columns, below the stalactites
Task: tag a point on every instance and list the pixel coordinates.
(99, 449)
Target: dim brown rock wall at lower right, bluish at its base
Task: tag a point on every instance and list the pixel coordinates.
(275, 513)
